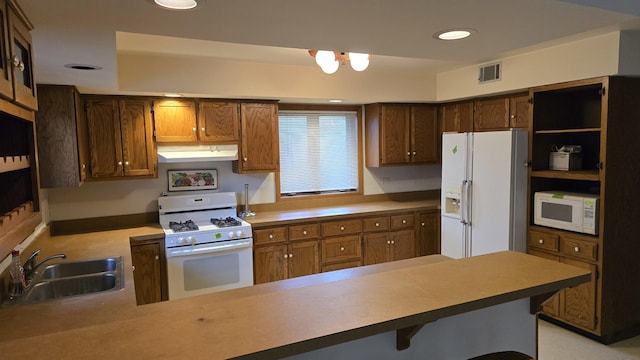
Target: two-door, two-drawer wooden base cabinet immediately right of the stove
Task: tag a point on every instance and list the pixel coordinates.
(284, 252)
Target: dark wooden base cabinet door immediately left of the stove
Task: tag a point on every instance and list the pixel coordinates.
(147, 273)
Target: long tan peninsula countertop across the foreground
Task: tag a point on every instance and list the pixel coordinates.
(272, 320)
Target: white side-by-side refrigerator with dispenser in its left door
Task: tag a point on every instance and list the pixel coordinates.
(484, 192)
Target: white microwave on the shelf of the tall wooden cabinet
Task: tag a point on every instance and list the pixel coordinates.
(567, 211)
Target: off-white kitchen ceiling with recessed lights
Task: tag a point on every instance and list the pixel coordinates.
(398, 33)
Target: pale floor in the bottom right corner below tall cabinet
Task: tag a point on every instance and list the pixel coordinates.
(556, 343)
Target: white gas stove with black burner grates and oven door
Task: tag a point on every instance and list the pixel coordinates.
(208, 248)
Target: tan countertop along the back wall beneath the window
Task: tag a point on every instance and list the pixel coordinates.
(269, 218)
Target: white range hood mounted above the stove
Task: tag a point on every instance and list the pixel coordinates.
(194, 153)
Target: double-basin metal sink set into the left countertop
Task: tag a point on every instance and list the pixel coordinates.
(75, 278)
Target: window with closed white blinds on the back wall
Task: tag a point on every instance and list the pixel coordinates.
(319, 152)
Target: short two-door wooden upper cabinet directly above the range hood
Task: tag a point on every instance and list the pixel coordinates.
(176, 121)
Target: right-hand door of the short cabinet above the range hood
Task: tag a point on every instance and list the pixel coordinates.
(218, 121)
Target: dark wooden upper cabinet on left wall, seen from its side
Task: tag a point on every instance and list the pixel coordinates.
(61, 129)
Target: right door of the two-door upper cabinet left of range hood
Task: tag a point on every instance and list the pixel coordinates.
(138, 148)
